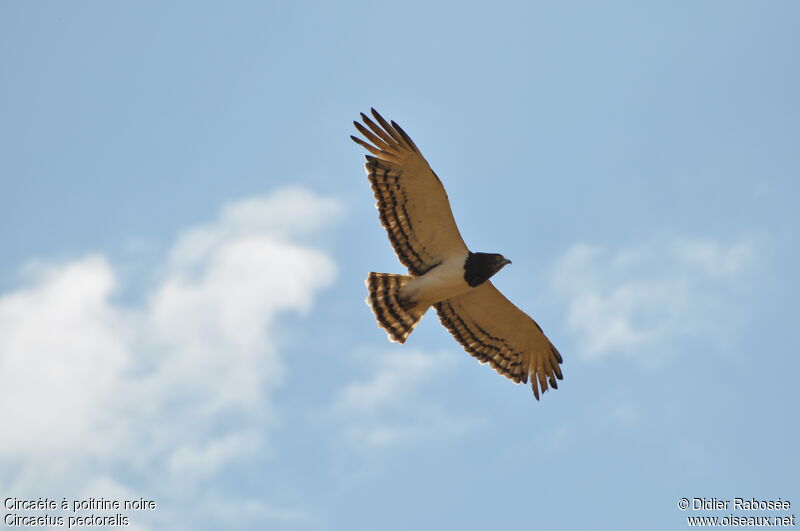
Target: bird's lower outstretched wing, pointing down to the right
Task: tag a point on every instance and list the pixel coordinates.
(495, 331)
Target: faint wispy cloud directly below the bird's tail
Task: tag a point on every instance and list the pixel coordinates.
(390, 406)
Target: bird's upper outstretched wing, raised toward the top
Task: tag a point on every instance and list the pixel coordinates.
(412, 203)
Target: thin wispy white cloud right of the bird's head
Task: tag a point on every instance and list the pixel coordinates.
(636, 301)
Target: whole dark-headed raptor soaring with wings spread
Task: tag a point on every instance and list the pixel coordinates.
(443, 273)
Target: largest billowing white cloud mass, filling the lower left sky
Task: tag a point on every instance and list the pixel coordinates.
(169, 390)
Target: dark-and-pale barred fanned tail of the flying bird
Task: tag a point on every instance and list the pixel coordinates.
(397, 318)
